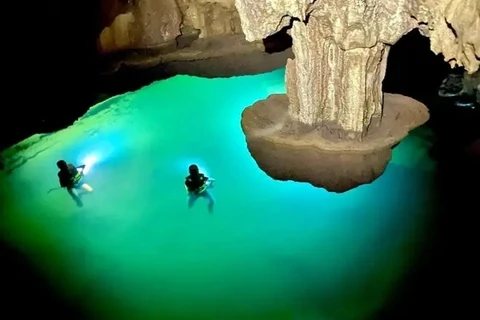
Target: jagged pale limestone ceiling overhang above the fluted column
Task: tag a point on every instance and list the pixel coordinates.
(452, 25)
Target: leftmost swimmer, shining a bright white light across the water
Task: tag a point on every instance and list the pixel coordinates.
(70, 177)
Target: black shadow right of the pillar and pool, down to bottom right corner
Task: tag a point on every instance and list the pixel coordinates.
(440, 285)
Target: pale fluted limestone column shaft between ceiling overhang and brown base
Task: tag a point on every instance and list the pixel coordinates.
(322, 81)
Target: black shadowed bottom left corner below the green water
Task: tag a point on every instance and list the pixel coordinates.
(25, 293)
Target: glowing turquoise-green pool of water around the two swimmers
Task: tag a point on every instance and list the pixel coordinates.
(271, 250)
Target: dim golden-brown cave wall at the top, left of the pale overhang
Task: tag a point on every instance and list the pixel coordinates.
(141, 24)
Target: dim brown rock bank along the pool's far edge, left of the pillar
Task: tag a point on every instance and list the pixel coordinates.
(224, 56)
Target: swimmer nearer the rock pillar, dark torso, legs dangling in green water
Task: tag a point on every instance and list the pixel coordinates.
(197, 185)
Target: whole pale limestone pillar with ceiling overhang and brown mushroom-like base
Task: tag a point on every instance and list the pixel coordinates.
(335, 128)
